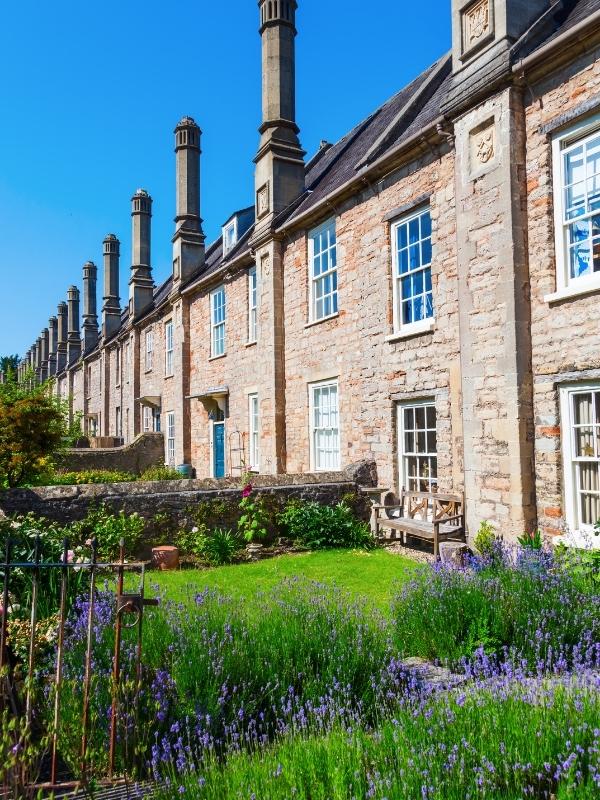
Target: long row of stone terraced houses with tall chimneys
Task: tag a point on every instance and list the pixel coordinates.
(424, 293)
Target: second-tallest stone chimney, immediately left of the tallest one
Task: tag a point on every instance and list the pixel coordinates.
(188, 241)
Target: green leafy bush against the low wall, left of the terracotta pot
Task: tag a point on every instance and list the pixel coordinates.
(109, 529)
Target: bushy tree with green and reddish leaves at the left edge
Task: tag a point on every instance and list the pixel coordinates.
(32, 431)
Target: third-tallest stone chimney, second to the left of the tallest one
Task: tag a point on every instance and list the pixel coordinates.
(141, 285)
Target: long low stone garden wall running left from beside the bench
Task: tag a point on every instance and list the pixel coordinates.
(168, 505)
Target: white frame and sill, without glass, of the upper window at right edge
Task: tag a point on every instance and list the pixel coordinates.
(567, 140)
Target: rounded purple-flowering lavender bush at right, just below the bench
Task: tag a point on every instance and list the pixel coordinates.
(532, 607)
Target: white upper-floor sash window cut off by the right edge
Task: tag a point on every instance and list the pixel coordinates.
(576, 156)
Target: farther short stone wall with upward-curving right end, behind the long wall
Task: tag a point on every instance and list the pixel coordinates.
(146, 451)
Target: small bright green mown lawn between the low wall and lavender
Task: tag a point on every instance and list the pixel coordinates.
(373, 575)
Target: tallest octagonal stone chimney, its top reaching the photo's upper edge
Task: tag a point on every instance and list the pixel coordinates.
(280, 172)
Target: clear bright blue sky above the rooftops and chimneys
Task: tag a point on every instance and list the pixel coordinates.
(91, 93)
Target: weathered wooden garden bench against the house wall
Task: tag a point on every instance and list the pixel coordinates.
(433, 517)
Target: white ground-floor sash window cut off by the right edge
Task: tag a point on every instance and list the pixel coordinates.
(580, 418)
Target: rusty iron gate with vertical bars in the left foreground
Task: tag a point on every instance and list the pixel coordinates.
(19, 691)
